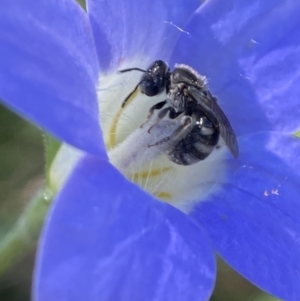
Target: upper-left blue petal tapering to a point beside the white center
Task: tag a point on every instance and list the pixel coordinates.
(48, 69)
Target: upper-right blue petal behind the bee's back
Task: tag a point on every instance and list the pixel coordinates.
(250, 52)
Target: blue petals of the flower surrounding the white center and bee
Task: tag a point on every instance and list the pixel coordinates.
(107, 239)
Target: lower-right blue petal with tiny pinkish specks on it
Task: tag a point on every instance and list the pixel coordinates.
(253, 217)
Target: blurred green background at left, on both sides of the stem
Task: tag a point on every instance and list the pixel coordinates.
(21, 175)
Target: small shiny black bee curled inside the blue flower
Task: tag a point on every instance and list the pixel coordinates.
(187, 98)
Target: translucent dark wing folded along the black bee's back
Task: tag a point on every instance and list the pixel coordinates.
(211, 108)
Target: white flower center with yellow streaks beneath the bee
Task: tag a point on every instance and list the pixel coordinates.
(137, 145)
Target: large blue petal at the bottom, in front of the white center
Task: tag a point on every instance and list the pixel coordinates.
(106, 239)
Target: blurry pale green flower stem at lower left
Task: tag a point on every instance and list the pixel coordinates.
(24, 235)
